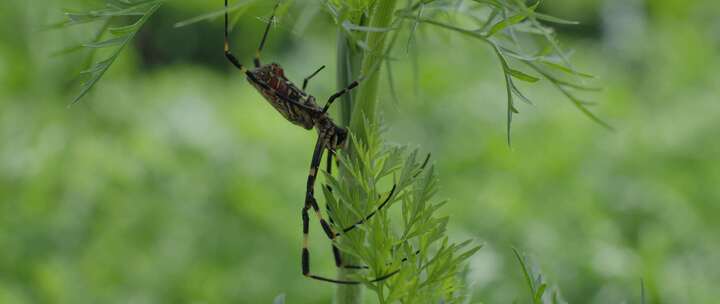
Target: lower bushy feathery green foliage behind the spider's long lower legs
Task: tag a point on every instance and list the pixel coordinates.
(426, 264)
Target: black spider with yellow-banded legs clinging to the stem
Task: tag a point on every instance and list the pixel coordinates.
(300, 108)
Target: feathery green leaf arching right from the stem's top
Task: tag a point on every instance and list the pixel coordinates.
(517, 34)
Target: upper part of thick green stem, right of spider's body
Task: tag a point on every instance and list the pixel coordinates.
(366, 101)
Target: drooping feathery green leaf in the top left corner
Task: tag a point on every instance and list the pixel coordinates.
(120, 21)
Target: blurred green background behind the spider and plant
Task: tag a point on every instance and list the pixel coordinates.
(174, 182)
